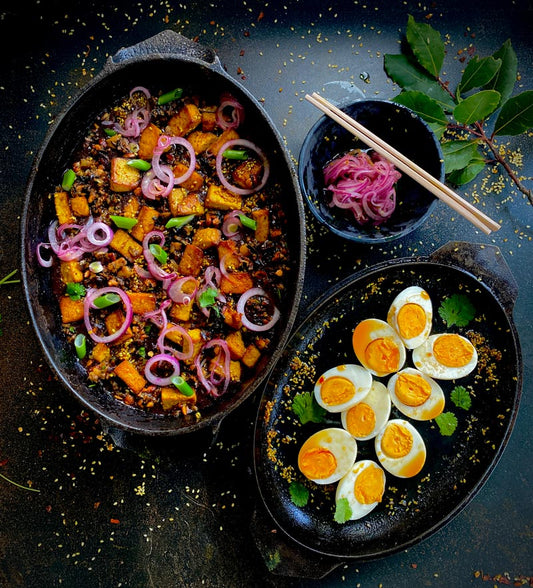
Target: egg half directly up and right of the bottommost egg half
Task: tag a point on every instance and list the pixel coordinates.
(400, 449)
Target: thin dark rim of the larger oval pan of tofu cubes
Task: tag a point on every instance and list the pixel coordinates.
(111, 69)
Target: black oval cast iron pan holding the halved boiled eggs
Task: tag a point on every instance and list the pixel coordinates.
(456, 465)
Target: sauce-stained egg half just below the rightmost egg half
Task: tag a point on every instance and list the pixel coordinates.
(416, 395)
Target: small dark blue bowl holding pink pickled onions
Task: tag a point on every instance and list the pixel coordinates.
(403, 130)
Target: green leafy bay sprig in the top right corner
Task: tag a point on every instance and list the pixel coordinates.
(479, 109)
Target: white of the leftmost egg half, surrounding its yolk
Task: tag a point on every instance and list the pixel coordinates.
(340, 443)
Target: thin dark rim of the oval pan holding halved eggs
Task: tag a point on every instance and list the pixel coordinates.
(315, 307)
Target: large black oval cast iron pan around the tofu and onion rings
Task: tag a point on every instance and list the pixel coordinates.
(167, 58)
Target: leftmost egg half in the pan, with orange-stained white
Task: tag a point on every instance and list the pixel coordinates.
(327, 455)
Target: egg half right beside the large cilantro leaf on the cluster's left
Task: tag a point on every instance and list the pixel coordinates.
(342, 386)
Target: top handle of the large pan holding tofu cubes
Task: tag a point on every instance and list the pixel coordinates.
(166, 42)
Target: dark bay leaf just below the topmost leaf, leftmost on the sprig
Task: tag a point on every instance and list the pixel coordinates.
(410, 76)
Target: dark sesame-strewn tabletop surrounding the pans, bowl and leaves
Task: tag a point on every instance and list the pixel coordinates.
(178, 514)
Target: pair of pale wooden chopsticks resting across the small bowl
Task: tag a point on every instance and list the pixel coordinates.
(443, 192)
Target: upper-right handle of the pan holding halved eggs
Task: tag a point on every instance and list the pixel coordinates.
(487, 263)
